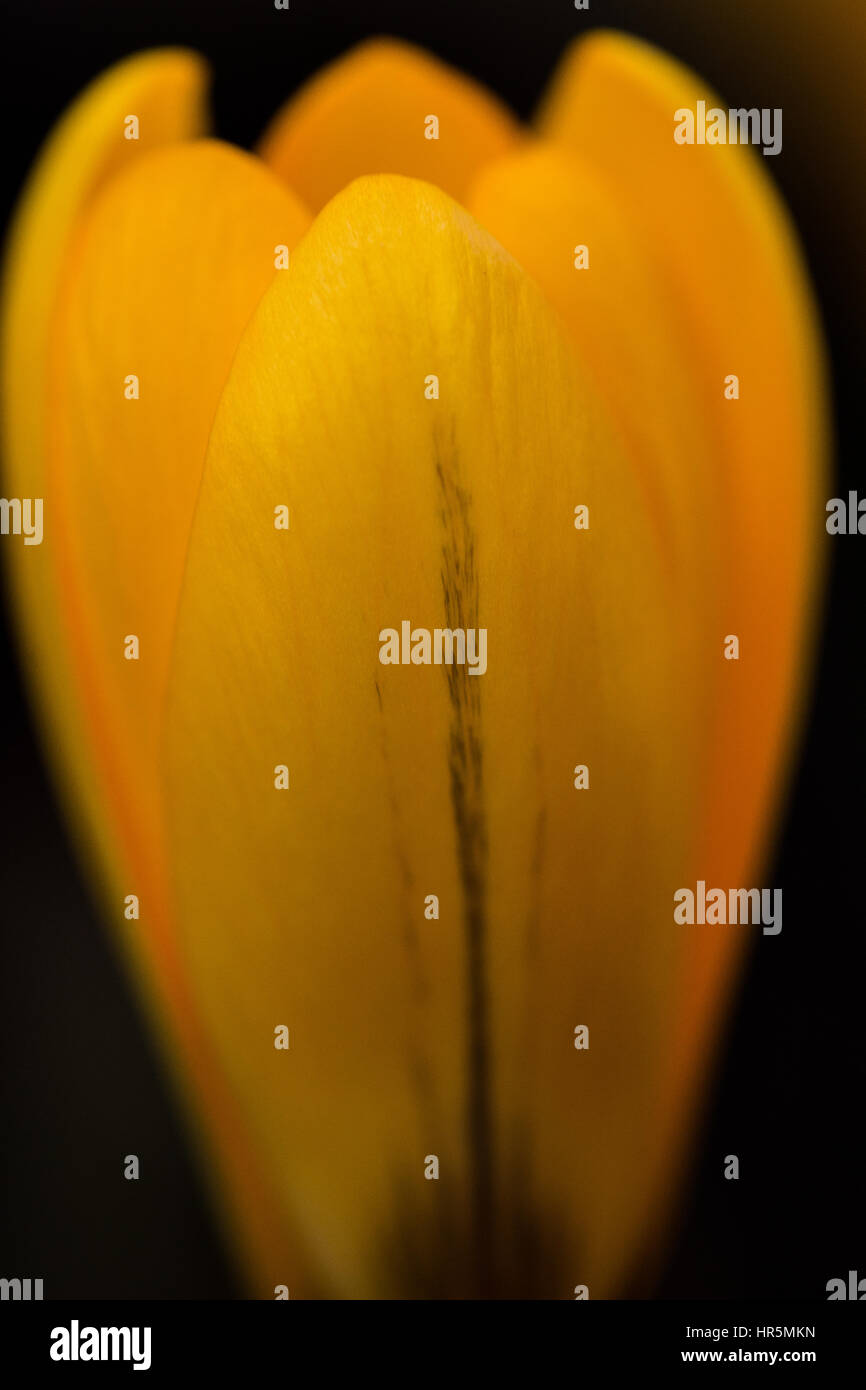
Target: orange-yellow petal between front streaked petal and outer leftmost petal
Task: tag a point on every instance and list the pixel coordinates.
(170, 263)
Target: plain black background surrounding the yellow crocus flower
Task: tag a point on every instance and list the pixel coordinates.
(81, 1084)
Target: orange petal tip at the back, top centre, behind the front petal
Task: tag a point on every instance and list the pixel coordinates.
(369, 113)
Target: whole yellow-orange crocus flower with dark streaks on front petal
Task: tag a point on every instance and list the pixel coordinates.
(412, 363)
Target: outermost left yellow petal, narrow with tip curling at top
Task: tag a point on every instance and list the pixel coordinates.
(165, 91)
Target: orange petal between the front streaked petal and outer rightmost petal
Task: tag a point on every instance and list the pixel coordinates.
(559, 220)
